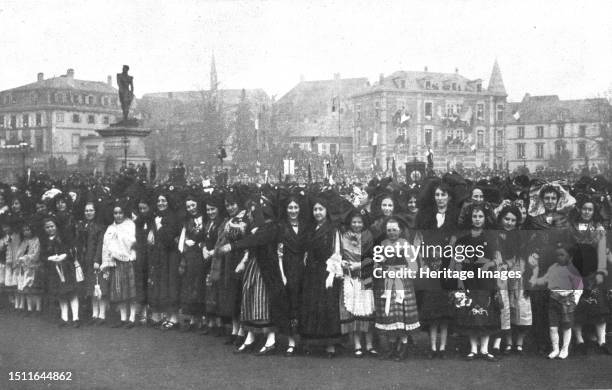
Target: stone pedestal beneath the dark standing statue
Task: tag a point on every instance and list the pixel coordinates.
(118, 137)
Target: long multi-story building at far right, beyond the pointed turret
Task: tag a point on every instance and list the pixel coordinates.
(544, 131)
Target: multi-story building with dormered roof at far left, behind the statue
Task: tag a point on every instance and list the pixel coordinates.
(51, 117)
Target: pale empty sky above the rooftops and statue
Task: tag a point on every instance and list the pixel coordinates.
(543, 47)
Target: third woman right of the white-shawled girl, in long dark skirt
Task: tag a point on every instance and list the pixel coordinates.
(192, 267)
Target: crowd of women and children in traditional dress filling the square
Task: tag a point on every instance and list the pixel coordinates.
(257, 261)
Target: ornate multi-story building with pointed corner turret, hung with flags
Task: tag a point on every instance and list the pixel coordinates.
(407, 114)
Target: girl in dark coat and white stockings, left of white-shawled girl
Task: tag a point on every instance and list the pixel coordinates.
(60, 271)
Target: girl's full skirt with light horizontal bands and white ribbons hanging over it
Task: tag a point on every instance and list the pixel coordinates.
(401, 317)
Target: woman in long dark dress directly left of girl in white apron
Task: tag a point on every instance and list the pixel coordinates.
(319, 320)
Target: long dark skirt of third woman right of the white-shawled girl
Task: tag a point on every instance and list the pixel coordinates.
(193, 283)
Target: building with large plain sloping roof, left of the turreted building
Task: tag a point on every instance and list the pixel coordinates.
(318, 115)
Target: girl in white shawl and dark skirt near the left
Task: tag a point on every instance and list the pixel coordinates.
(118, 262)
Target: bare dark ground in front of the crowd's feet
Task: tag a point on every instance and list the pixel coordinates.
(145, 358)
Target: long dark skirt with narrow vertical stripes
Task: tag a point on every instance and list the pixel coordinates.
(255, 308)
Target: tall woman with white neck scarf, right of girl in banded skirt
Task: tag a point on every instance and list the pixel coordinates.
(436, 228)
